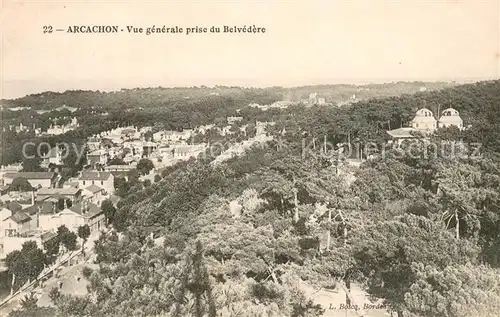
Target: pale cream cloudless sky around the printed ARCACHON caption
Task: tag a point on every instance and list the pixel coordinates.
(306, 42)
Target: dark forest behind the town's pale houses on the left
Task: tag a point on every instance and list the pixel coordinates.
(173, 113)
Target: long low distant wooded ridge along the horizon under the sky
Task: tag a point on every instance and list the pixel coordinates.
(151, 97)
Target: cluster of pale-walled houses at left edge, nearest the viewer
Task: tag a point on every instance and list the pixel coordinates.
(40, 207)
